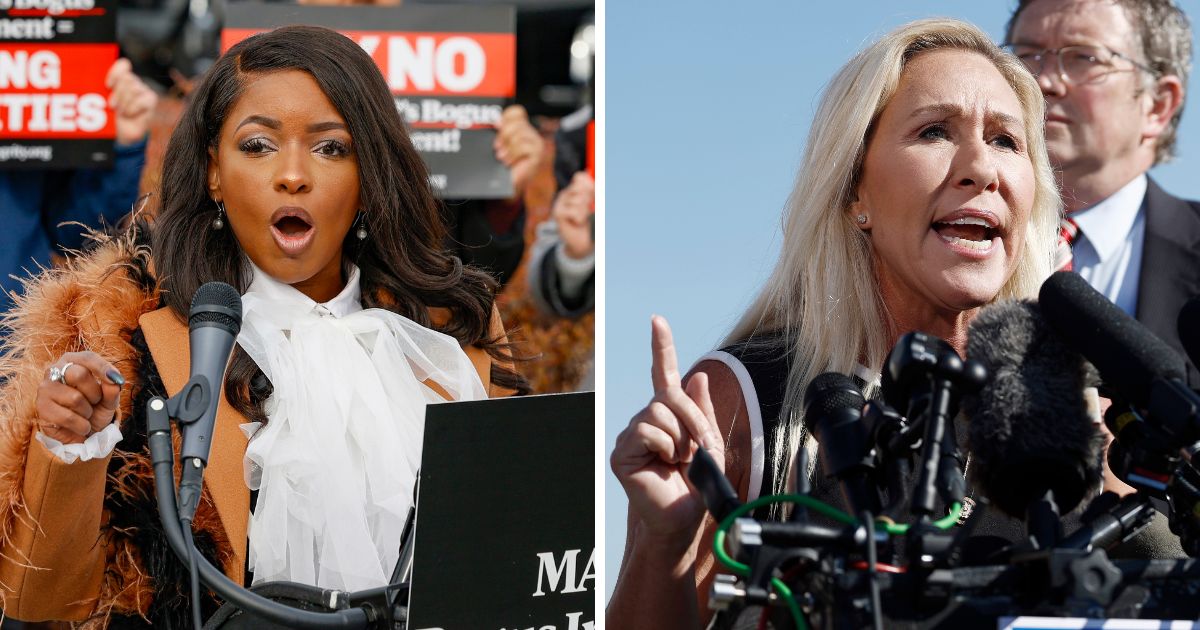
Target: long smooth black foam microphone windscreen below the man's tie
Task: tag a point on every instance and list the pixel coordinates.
(1127, 355)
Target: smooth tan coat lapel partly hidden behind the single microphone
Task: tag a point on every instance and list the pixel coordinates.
(169, 341)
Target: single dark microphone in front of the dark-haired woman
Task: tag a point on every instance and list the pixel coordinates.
(214, 323)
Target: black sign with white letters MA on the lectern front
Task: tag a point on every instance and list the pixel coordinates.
(526, 549)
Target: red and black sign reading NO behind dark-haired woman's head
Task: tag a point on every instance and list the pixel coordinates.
(451, 70)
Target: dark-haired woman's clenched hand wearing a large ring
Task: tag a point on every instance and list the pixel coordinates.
(79, 397)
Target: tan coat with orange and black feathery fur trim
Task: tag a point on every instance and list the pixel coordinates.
(57, 560)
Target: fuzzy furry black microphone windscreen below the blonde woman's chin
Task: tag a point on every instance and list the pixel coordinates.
(1030, 430)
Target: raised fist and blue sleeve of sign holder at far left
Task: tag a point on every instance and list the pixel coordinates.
(47, 213)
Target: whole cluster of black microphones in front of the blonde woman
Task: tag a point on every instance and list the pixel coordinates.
(1027, 404)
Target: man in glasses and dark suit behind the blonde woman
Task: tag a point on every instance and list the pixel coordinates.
(1114, 74)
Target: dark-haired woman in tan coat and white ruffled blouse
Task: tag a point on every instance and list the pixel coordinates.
(291, 177)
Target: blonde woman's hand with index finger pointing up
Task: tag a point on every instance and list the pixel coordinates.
(652, 454)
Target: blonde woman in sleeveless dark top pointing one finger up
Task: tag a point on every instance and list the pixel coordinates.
(926, 194)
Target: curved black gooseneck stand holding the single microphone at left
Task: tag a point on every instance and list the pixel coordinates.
(356, 611)
